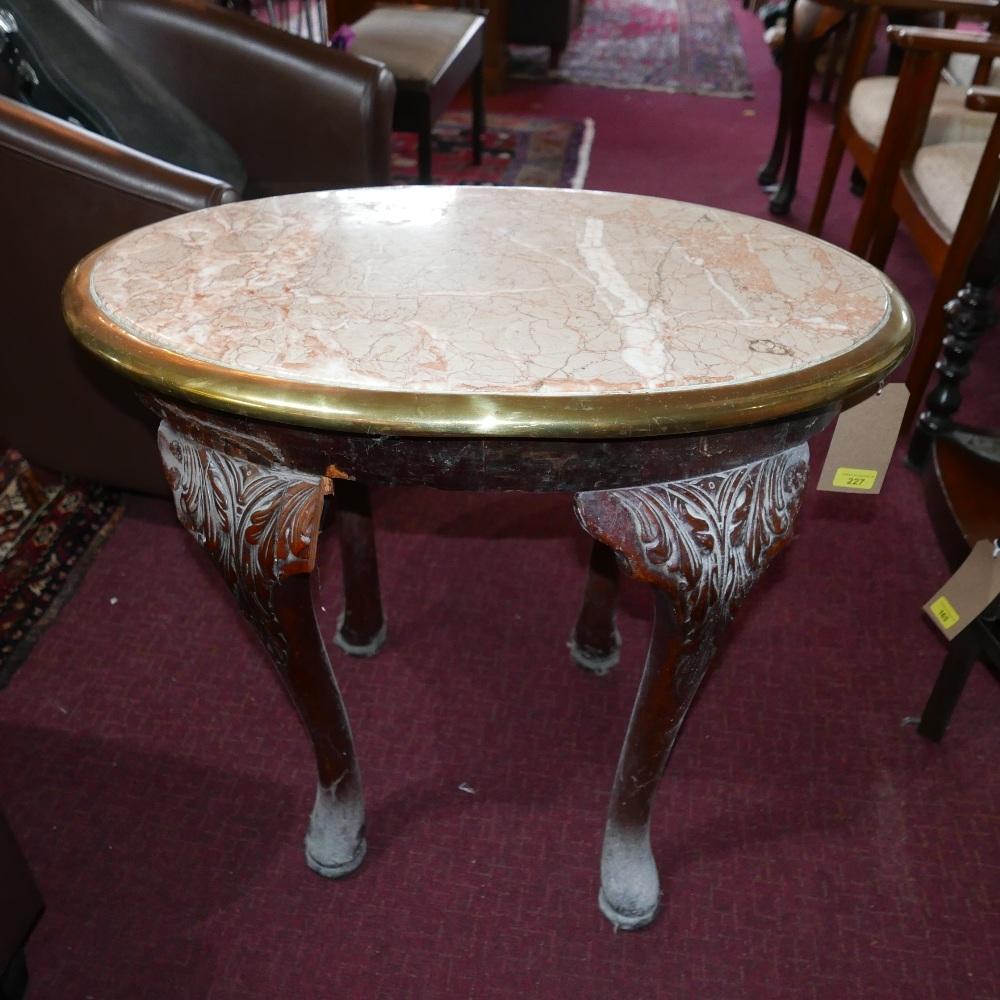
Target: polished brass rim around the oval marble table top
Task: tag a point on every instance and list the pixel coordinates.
(846, 377)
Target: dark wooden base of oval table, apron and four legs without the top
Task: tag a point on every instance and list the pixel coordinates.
(697, 516)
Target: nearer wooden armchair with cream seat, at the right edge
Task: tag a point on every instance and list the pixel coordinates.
(942, 193)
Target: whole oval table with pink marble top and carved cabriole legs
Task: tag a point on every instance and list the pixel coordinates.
(664, 362)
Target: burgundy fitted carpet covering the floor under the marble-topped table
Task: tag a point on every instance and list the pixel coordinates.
(812, 846)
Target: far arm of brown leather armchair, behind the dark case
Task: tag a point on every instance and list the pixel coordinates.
(300, 116)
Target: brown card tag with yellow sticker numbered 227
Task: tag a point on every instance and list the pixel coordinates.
(863, 441)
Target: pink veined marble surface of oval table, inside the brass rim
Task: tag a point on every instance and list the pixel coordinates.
(489, 290)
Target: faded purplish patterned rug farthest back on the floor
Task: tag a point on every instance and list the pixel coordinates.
(680, 46)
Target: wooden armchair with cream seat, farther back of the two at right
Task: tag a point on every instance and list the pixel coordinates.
(864, 102)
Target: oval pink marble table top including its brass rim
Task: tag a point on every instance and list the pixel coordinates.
(489, 310)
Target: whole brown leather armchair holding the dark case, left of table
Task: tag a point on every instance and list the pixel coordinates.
(299, 116)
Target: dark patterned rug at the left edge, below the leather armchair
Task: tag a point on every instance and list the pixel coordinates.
(49, 531)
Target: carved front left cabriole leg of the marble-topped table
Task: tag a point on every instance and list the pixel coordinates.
(260, 526)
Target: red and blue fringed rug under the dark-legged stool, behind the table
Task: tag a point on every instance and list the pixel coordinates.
(530, 152)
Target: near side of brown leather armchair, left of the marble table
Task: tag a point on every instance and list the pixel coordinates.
(71, 191)
